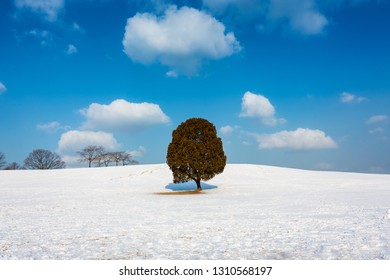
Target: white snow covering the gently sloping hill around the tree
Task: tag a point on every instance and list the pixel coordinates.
(248, 212)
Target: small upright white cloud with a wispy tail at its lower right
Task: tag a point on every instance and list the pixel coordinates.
(258, 106)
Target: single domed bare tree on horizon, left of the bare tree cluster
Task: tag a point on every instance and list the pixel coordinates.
(43, 159)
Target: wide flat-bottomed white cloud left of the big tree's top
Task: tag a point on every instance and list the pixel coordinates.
(122, 115)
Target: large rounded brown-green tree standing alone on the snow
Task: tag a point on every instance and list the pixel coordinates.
(195, 153)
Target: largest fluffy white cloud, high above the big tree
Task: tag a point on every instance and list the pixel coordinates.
(181, 39)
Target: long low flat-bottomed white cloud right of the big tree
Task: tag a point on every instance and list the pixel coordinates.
(299, 139)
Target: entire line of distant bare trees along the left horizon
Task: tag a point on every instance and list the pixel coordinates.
(44, 159)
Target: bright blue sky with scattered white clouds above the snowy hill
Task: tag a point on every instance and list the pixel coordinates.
(301, 83)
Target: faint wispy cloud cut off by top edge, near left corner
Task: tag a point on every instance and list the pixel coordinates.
(49, 8)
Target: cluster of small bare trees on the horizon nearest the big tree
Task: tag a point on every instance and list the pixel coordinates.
(98, 156)
